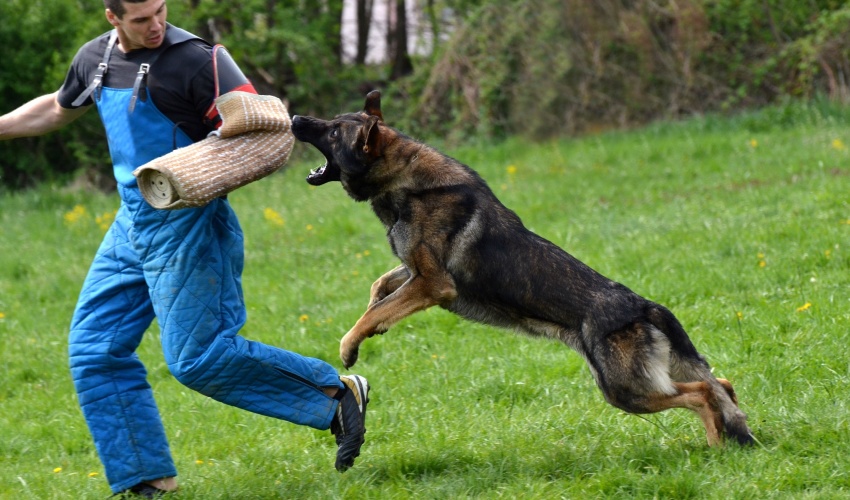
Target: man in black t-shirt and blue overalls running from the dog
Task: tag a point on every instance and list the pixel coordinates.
(153, 85)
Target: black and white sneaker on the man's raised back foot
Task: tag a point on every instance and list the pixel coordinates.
(349, 423)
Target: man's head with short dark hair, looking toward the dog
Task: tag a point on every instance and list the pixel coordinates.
(143, 25)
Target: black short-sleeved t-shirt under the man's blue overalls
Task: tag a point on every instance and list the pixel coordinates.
(180, 81)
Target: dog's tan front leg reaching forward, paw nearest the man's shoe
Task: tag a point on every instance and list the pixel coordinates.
(415, 294)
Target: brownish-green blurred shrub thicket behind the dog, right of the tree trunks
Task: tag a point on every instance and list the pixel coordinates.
(549, 67)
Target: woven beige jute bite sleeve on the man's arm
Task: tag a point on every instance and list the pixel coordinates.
(254, 140)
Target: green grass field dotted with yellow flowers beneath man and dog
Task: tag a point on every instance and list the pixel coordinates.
(741, 226)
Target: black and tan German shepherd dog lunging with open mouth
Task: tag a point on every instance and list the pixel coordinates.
(464, 251)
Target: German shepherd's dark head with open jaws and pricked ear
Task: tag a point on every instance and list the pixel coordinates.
(351, 143)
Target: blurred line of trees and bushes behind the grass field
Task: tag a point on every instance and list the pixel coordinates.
(537, 68)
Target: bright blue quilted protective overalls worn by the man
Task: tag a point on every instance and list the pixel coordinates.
(184, 268)
